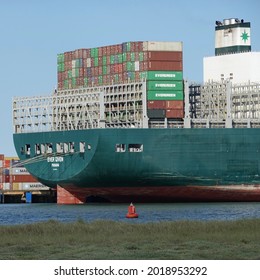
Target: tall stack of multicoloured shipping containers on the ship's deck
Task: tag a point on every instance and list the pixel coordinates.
(159, 63)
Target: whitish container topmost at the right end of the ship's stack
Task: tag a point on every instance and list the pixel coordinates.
(162, 46)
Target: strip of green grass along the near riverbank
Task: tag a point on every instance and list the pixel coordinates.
(193, 240)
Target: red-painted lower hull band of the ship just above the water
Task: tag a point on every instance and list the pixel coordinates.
(235, 193)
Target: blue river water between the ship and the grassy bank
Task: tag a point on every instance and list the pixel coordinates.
(12, 214)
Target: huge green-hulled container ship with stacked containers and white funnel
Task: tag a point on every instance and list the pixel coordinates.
(124, 126)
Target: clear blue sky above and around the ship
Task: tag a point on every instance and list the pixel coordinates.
(34, 32)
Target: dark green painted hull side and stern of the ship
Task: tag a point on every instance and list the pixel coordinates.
(166, 158)
